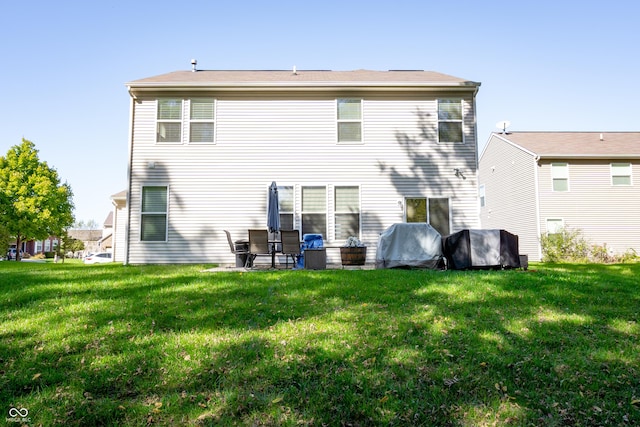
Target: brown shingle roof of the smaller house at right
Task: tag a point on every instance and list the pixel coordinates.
(577, 144)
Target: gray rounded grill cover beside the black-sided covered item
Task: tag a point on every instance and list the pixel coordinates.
(409, 245)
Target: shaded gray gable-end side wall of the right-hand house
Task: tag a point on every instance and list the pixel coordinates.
(508, 173)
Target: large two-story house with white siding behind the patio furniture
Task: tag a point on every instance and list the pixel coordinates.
(352, 152)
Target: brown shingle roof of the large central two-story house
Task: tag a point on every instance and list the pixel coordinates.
(281, 79)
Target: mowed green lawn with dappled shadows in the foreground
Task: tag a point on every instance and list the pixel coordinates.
(174, 345)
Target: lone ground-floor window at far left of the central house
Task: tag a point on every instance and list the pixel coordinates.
(153, 227)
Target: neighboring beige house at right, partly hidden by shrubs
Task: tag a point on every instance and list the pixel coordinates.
(533, 183)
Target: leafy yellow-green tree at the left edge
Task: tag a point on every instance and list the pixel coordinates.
(33, 203)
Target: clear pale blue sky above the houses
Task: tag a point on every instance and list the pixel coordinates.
(543, 65)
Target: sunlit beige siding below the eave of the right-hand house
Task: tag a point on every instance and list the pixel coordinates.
(604, 212)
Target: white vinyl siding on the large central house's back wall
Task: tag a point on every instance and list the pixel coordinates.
(292, 140)
